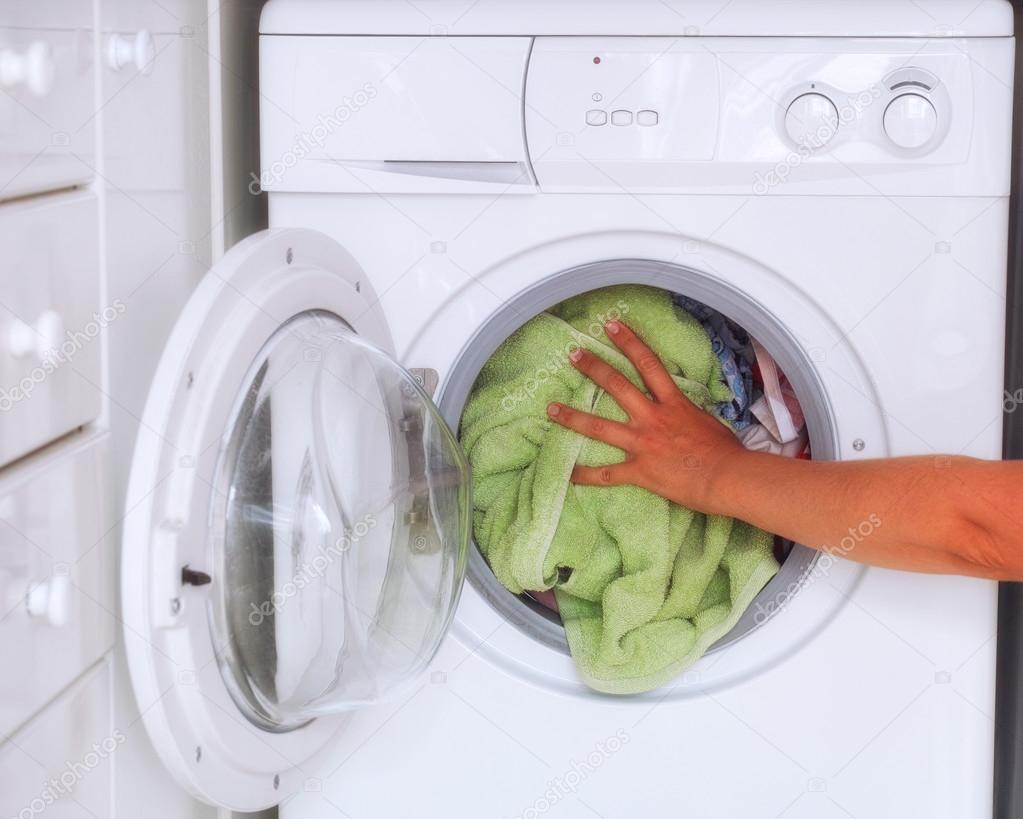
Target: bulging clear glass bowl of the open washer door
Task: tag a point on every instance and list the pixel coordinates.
(339, 528)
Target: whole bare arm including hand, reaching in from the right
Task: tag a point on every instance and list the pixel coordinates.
(929, 514)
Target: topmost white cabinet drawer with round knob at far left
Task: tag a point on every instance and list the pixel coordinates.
(48, 110)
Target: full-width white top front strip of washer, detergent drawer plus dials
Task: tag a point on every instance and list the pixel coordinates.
(691, 115)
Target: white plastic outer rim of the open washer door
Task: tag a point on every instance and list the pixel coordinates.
(210, 748)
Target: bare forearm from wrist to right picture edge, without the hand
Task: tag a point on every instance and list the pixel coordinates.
(938, 514)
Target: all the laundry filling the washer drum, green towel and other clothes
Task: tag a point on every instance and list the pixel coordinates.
(527, 522)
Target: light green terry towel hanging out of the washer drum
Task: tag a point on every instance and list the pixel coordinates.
(644, 585)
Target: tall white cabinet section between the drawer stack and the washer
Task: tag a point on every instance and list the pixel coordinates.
(155, 149)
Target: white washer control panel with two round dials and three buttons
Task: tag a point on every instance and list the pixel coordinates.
(821, 114)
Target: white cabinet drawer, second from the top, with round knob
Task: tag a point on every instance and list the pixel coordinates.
(50, 333)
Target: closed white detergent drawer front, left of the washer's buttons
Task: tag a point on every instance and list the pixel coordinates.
(393, 115)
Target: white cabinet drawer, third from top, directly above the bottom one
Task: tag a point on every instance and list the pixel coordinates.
(57, 574)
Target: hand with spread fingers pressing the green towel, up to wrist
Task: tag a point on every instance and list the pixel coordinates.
(673, 447)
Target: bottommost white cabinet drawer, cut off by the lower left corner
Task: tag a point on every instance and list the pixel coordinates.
(59, 766)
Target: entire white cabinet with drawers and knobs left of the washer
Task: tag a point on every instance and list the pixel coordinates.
(105, 224)
